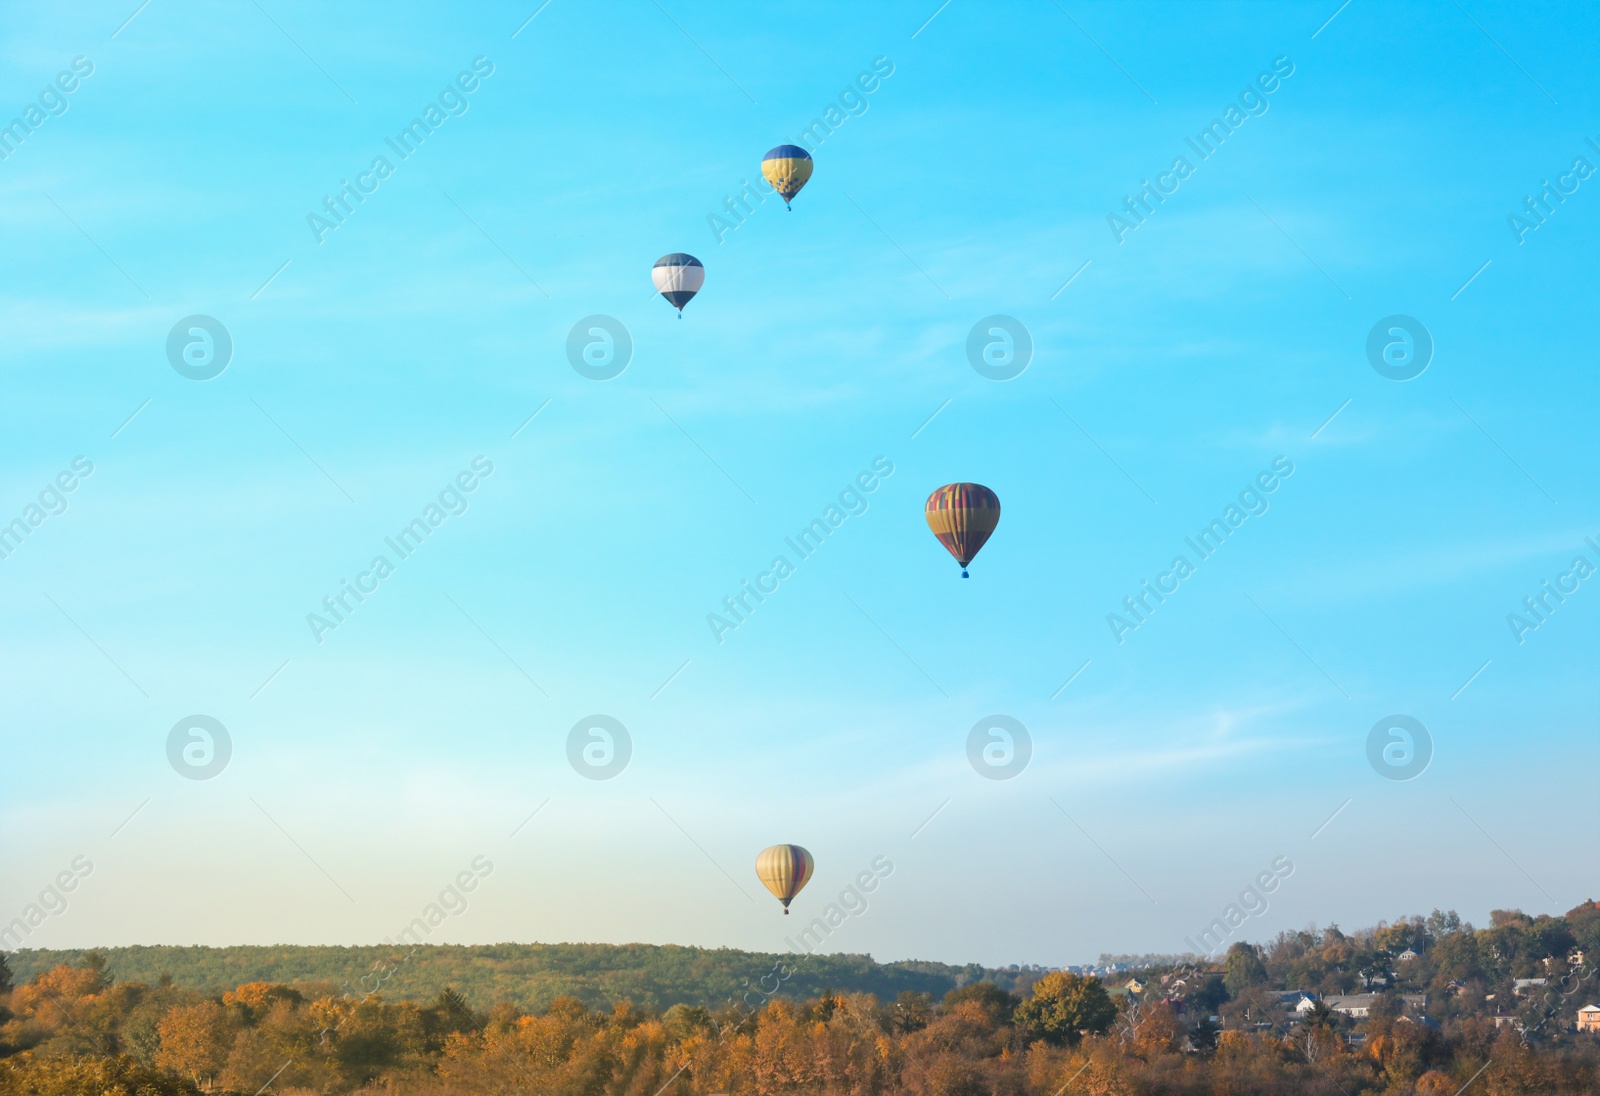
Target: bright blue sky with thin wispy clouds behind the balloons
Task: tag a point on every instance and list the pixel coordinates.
(1177, 366)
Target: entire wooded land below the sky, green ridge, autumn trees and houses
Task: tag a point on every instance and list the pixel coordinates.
(1420, 1007)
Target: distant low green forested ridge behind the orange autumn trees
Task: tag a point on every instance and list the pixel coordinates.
(529, 977)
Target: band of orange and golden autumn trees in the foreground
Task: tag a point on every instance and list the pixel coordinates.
(71, 1033)
